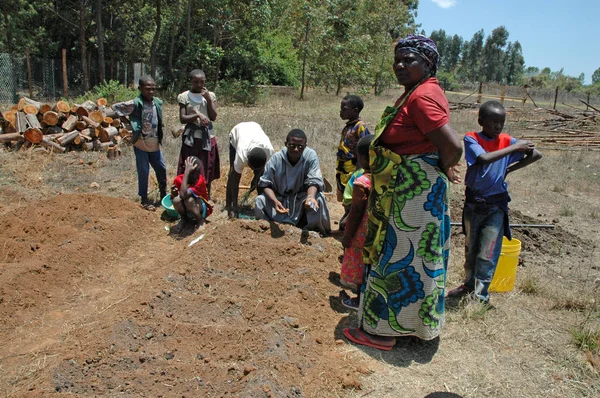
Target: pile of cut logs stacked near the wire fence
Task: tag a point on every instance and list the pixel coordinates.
(91, 126)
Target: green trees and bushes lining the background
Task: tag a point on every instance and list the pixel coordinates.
(244, 43)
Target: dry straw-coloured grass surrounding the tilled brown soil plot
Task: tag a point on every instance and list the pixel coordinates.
(541, 339)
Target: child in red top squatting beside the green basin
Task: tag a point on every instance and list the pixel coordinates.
(189, 195)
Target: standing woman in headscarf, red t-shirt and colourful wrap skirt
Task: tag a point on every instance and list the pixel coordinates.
(406, 252)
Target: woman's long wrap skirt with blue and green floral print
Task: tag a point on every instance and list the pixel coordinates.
(406, 248)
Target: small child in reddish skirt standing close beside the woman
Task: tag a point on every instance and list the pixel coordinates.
(356, 226)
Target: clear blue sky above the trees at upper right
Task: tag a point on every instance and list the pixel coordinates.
(554, 34)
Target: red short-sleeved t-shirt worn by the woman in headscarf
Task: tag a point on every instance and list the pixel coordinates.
(425, 110)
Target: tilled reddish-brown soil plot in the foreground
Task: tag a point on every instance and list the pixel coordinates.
(98, 299)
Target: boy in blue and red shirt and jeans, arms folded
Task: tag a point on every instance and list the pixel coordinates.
(490, 156)
